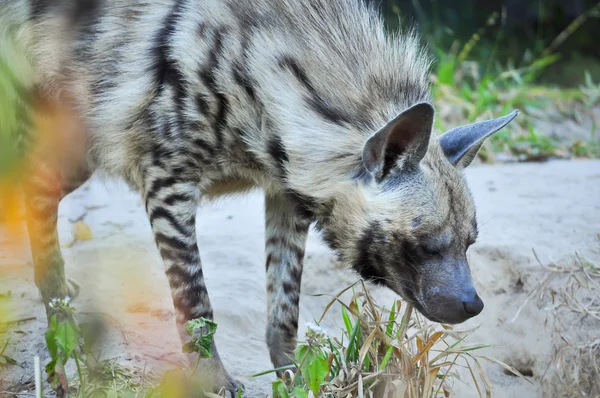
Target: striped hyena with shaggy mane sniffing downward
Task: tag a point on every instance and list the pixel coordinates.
(310, 100)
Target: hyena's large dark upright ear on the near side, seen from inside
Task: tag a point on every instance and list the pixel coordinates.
(403, 141)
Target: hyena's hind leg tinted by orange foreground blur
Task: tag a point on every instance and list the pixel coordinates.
(43, 188)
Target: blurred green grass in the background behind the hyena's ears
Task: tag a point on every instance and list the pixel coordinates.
(462, 96)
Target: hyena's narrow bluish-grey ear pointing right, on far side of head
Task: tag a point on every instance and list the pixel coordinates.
(460, 145)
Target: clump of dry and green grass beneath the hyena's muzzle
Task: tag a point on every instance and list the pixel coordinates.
(386, 353)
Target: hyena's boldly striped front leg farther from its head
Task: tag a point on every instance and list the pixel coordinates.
(172, 205)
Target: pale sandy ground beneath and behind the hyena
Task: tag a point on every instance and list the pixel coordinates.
(553, 208)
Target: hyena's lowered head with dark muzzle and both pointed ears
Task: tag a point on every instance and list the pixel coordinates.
(415, 218)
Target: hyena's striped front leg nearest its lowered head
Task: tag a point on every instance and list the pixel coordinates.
(286, 232)
